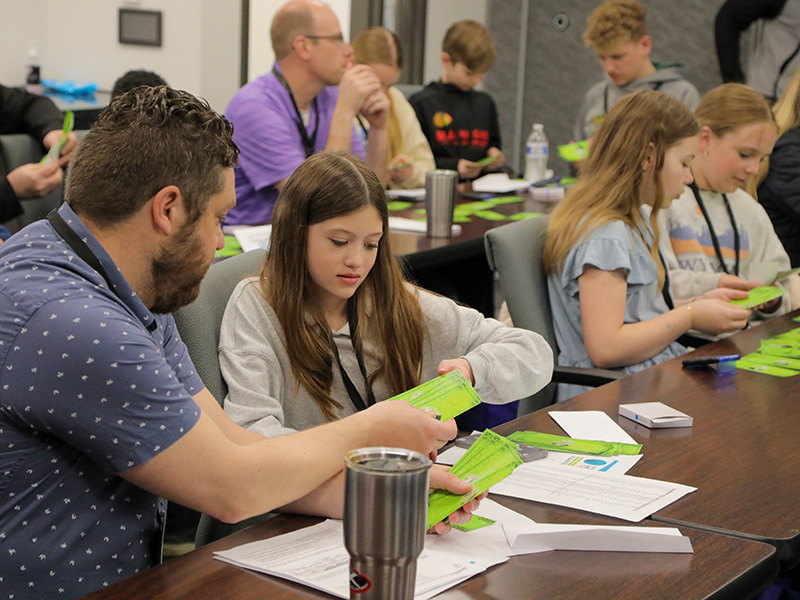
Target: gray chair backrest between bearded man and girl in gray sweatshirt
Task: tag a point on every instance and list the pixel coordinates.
(199, 322)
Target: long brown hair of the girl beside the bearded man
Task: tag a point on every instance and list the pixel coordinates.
(329, 185)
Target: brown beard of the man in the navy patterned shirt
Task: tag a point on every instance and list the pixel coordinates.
(177, 272)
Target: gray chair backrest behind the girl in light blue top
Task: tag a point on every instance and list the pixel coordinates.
(514, 252)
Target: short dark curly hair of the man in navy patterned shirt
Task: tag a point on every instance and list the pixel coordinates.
(147, 139)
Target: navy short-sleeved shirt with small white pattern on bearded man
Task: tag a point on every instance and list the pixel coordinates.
(87, 391)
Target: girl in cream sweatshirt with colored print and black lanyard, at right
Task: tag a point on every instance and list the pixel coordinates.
(715, 233)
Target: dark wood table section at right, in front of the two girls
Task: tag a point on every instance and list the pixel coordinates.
(742, 452)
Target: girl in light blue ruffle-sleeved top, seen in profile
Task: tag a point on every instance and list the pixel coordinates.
(611, 302)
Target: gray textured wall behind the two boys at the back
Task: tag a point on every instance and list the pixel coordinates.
(558, 68)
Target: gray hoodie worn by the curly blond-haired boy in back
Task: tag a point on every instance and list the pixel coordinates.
(603, 95)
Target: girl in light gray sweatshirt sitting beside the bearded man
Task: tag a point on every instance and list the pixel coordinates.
(332, 326)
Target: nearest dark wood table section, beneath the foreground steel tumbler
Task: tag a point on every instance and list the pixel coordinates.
(721, 567)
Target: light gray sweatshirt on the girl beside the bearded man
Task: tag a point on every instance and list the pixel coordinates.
(508, 363)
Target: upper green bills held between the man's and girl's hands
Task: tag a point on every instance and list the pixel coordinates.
(447, 396)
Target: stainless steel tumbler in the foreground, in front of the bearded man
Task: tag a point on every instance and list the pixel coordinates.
(385, 509)
